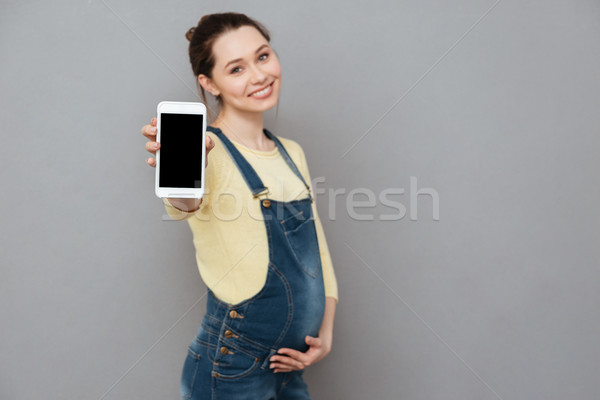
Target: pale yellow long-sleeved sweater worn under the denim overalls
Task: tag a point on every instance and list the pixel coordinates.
(229, 233)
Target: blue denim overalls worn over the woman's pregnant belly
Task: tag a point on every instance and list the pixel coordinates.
(229, 357)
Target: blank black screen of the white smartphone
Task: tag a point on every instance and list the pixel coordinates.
(180, 150)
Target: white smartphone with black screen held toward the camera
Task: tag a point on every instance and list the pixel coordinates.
(181, 131)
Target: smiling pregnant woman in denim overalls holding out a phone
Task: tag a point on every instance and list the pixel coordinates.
(260, 247)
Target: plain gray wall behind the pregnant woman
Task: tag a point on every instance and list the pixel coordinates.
(492, 105)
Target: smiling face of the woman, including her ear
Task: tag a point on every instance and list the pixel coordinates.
(246, 74)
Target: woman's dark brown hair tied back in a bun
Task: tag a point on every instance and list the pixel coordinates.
(203, 36)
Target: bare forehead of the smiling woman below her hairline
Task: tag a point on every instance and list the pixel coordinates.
(239, 43)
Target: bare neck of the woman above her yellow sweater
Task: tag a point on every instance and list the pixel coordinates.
(244, 127)
